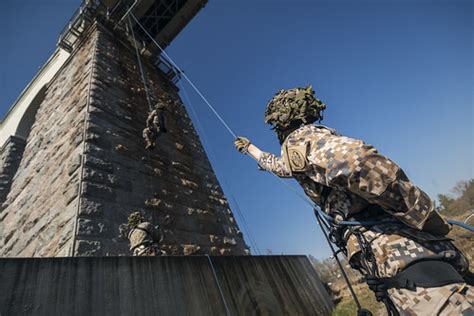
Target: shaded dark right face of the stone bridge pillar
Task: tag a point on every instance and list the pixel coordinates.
(174, 184)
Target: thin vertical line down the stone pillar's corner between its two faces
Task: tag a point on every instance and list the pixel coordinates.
(84, 136)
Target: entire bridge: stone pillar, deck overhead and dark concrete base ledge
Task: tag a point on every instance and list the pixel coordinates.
(73, 167)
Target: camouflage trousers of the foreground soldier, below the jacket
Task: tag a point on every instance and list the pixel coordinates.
(394, 248)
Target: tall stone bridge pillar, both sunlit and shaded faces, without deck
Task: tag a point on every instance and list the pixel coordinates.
(73, 197)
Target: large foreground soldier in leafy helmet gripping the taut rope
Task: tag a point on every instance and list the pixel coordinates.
(350, 180)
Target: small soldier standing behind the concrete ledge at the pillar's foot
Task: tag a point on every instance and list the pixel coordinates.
(143, 236)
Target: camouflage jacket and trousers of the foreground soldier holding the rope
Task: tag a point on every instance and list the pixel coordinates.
(318, 158)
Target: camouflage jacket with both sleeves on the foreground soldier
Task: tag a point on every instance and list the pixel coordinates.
(318, 157)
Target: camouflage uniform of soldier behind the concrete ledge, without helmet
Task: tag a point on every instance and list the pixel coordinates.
(144, 239)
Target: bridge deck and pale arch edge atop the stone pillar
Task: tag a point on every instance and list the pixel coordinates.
(163, 19)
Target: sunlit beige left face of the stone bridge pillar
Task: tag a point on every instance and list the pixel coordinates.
(41, 207)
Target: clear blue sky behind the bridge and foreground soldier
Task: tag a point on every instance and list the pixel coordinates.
(398, 74)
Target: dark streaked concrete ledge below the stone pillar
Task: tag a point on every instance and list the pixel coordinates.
(197, 285)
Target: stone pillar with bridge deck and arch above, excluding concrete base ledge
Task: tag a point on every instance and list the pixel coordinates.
(73, 163)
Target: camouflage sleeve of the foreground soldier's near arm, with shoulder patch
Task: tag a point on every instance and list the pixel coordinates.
(351, 165)
